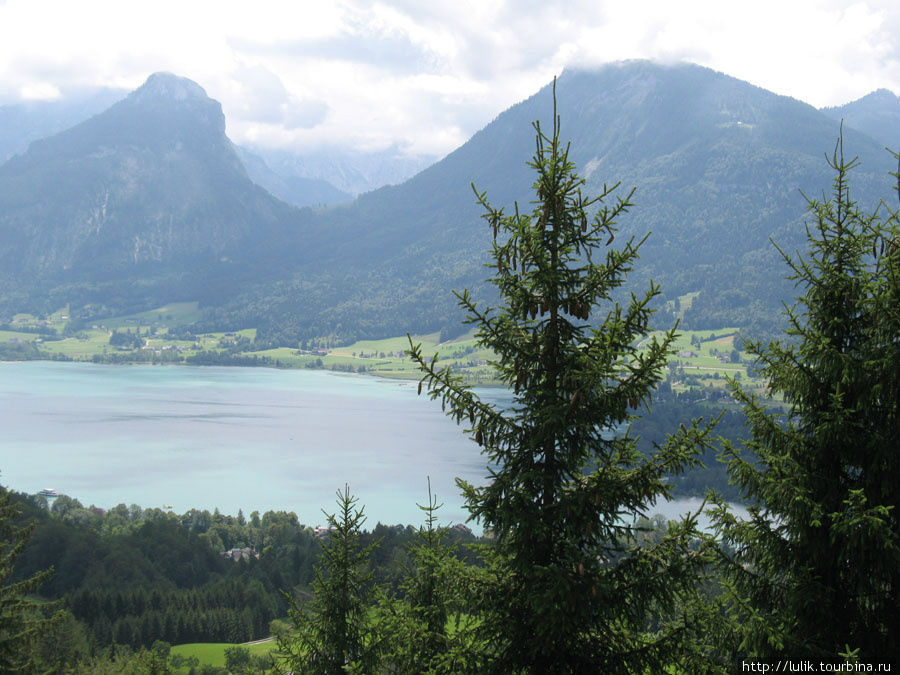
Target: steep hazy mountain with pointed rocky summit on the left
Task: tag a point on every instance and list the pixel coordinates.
(145, 200)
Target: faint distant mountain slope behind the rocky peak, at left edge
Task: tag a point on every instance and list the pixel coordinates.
(23, 123)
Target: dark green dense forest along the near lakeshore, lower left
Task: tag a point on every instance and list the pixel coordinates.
(133, 577)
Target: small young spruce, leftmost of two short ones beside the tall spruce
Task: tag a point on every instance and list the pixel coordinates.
(332, 632)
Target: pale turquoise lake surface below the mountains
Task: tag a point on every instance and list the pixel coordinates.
(233, 438)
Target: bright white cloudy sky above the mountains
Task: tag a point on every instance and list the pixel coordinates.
(426, 74)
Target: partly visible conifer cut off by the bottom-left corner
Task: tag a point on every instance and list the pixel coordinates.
(20, 623)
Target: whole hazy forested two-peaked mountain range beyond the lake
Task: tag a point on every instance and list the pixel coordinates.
(149, 202)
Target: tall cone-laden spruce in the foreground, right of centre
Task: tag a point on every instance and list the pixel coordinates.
(568, 591)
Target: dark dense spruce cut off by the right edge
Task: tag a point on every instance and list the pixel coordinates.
(816, 568)
